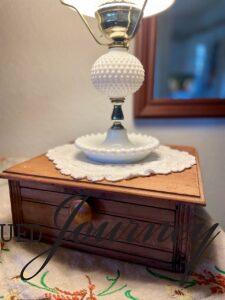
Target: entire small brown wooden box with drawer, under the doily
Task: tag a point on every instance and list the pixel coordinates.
(37, 189)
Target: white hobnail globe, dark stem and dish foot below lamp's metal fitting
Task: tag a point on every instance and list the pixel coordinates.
(117, 74)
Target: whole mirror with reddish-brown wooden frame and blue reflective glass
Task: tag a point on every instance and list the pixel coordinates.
(183, 53)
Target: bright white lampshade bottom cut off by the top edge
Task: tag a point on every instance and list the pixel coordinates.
(89, 7)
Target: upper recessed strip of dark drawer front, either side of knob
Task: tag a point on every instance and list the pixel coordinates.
(114, 208)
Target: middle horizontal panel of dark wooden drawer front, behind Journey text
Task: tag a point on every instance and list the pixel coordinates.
(33, 214)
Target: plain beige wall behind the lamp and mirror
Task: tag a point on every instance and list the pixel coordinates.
(46, 97)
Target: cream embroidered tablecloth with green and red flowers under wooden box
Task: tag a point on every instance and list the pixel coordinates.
(73, 275)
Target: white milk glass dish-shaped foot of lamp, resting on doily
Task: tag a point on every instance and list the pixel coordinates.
(116, 147)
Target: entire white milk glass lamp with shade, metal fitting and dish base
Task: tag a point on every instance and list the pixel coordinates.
(117, 74)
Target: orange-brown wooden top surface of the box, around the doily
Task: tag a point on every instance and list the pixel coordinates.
(185, 186)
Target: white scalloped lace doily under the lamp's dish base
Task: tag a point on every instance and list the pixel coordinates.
(164, 160)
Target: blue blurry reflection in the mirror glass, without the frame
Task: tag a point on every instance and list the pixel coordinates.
(190, 50)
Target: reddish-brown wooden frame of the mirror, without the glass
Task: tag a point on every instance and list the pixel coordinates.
(145, 106)
